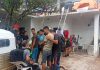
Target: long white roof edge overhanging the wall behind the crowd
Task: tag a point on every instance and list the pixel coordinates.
(87, 14)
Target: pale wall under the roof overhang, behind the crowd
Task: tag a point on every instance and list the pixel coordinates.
(77, 26)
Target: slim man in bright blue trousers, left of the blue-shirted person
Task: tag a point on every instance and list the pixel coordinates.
(34, 45)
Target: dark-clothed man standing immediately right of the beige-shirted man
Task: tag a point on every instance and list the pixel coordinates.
(56, 50)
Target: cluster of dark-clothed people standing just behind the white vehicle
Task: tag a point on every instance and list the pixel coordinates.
(21, 37)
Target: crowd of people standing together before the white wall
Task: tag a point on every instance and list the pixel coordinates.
(49, 42)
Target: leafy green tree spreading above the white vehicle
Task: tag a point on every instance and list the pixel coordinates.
(18, 9)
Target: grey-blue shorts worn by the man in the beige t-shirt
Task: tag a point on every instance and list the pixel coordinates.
(46, 56)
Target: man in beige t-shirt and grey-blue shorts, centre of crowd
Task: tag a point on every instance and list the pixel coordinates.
(47, 50)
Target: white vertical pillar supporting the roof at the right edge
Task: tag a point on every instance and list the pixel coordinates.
(96, 35)
